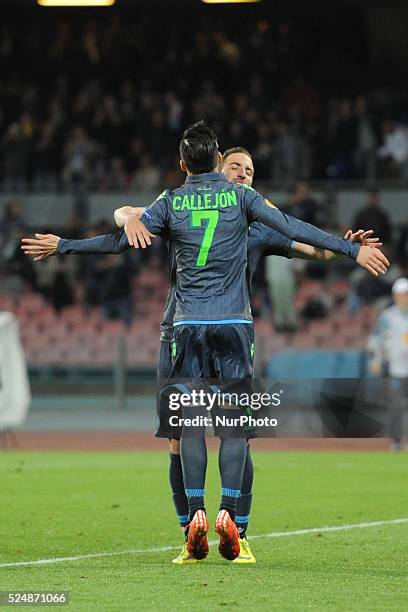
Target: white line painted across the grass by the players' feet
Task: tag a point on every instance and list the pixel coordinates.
(140, 551)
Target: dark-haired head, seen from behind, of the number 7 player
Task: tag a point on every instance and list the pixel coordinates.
(199, 148)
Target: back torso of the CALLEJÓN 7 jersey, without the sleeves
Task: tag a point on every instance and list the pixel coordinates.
(209, 228)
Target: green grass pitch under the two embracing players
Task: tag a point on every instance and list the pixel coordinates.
(70, 504)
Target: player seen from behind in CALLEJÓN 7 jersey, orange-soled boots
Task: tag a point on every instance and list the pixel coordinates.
(206, 221)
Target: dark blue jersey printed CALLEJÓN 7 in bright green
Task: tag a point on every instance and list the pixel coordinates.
(207, 220)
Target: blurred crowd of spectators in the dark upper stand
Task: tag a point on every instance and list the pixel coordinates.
(104, 113)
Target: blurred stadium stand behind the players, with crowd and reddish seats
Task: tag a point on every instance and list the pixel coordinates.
(307, 111)
